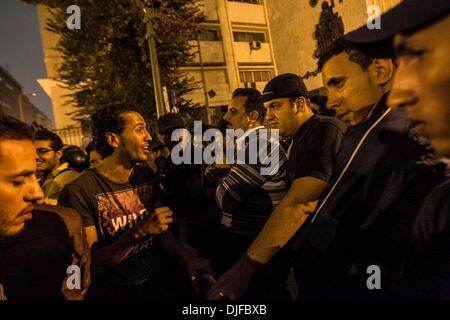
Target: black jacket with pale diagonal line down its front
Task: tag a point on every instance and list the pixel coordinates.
(365, 216)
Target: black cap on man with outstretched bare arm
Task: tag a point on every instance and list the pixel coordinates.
(286, 85)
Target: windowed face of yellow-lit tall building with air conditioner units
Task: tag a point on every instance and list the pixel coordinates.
(232, 49)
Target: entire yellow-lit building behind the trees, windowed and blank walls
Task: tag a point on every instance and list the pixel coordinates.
(243, 43)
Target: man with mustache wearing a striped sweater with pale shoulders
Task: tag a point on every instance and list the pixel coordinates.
(247, 195)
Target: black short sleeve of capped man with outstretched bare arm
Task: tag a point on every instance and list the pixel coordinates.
(317, 154)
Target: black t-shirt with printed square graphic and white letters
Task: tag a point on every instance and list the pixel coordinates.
(114, 208)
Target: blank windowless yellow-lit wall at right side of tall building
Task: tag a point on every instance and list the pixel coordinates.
(293, 25)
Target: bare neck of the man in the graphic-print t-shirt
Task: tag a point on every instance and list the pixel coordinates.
(116, 168)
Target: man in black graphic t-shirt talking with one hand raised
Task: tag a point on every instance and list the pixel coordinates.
(118, 201)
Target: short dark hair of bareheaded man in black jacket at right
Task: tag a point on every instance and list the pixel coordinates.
(355, 55)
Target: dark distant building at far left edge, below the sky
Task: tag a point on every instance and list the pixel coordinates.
(15, 102)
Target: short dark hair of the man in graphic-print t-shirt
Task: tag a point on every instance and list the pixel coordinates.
(108, 119)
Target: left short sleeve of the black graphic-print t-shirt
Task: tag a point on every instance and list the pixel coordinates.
(74, 197)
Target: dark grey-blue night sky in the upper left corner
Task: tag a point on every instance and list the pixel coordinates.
(21, 49)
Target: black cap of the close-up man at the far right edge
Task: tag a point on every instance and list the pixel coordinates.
(406, 17)
